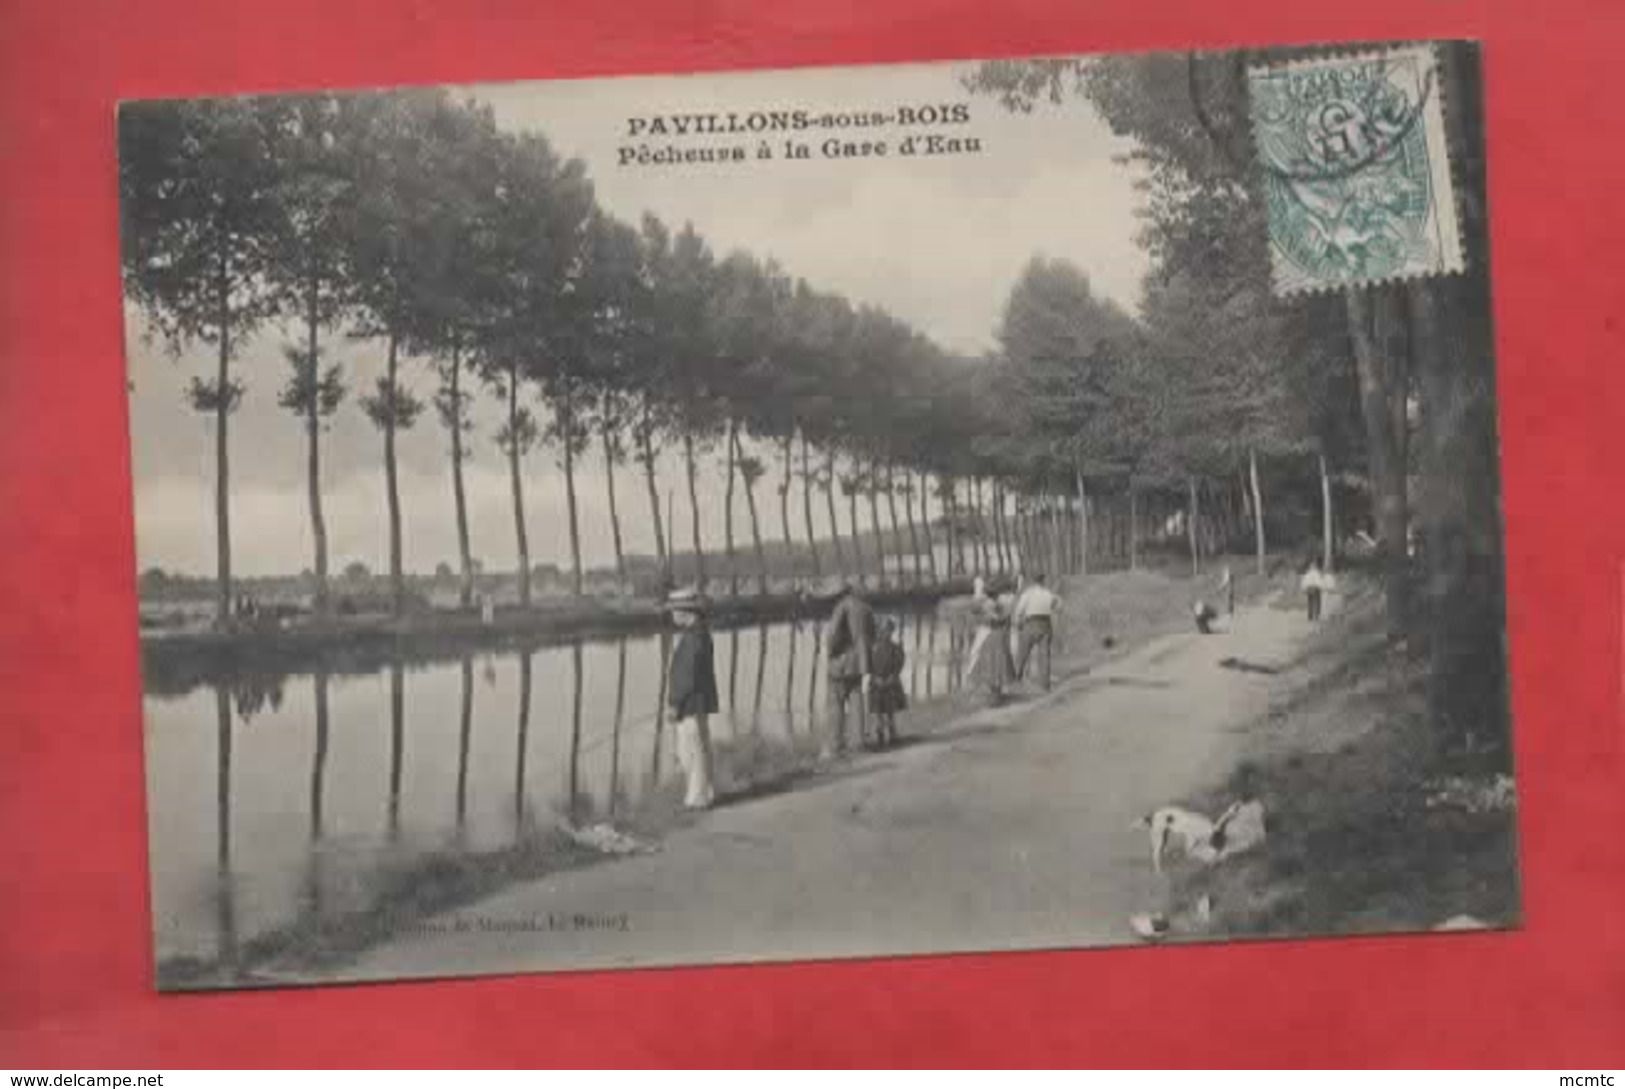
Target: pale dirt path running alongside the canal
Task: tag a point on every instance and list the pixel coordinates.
(1007, 830)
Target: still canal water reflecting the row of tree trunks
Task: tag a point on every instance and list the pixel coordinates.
(308, 792)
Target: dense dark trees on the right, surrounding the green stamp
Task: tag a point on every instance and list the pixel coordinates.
(1389, 386)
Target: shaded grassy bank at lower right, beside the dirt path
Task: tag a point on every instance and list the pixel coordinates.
(1374, 828)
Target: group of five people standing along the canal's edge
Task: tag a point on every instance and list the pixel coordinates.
(865, 669)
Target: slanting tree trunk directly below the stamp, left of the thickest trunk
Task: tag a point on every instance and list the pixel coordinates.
(1379, 342)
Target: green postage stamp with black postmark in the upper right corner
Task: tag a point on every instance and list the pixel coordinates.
(1356, 170)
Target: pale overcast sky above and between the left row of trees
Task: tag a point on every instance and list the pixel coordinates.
(938, 241)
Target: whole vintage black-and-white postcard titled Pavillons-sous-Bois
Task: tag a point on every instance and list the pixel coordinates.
(818, 514)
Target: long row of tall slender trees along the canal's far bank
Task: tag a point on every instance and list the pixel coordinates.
(480, 261)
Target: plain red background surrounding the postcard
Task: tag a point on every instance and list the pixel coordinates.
(76, 974)
